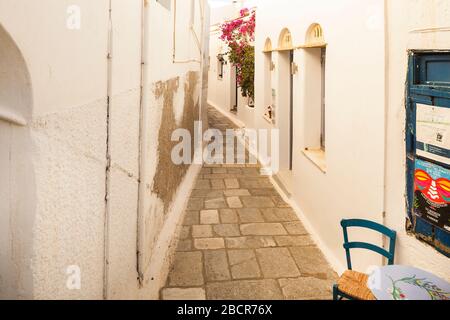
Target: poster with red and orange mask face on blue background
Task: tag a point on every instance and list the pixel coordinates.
(432, 194)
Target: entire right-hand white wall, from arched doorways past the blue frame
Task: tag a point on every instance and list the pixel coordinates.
(365, 115)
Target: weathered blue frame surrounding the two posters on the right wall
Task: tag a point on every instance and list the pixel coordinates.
(431, 89)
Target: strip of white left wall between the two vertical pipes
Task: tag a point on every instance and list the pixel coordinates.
(124, 116)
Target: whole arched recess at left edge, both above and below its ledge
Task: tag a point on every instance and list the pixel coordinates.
(17, 179)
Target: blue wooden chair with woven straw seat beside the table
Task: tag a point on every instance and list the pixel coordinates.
(353, 285)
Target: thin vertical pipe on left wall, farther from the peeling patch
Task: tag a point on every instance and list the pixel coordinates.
(108, 157)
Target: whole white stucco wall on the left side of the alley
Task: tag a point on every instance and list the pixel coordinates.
(53, 170)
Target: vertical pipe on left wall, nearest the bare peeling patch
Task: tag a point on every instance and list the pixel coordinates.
(143, 139)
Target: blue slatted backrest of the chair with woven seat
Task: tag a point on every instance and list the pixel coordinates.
(391, 234)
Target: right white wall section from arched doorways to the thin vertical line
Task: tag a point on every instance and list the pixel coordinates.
(352, 186)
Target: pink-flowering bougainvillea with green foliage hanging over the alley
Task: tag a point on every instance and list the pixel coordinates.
(239, 35)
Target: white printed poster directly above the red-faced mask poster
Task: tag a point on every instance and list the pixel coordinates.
(433, 133)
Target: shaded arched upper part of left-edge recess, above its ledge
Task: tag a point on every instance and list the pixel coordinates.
(15, 84)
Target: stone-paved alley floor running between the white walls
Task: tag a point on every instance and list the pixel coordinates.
(241, 241)
